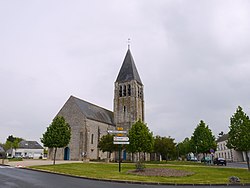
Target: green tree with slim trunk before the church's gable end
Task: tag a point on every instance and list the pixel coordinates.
(57, 135)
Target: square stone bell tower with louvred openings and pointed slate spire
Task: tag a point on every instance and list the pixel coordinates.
(128, 95)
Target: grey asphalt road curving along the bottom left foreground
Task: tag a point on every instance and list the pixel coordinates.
(11, 177)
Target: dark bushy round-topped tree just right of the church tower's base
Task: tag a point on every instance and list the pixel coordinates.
(165, 146)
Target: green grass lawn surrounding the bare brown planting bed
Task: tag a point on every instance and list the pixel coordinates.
(202, 174)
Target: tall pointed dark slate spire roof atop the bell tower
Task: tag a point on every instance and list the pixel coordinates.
(128, 70)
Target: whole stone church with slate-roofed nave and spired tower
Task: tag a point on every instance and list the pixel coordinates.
(90, 122)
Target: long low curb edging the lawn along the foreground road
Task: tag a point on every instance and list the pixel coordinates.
(136, 182)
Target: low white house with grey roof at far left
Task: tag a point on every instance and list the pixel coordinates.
(27, 149)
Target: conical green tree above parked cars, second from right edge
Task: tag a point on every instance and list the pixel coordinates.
(202, 139)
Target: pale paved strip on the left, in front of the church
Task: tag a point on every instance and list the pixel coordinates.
(31, 162)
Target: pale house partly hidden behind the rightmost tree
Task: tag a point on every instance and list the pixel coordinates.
(224, 152)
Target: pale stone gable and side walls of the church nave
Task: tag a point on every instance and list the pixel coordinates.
(85, 134)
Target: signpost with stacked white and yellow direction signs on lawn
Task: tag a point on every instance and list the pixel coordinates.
(119, 139)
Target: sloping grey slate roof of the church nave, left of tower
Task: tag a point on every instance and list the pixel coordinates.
(94, 112)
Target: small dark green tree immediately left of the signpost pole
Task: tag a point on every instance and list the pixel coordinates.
(106, 144)
